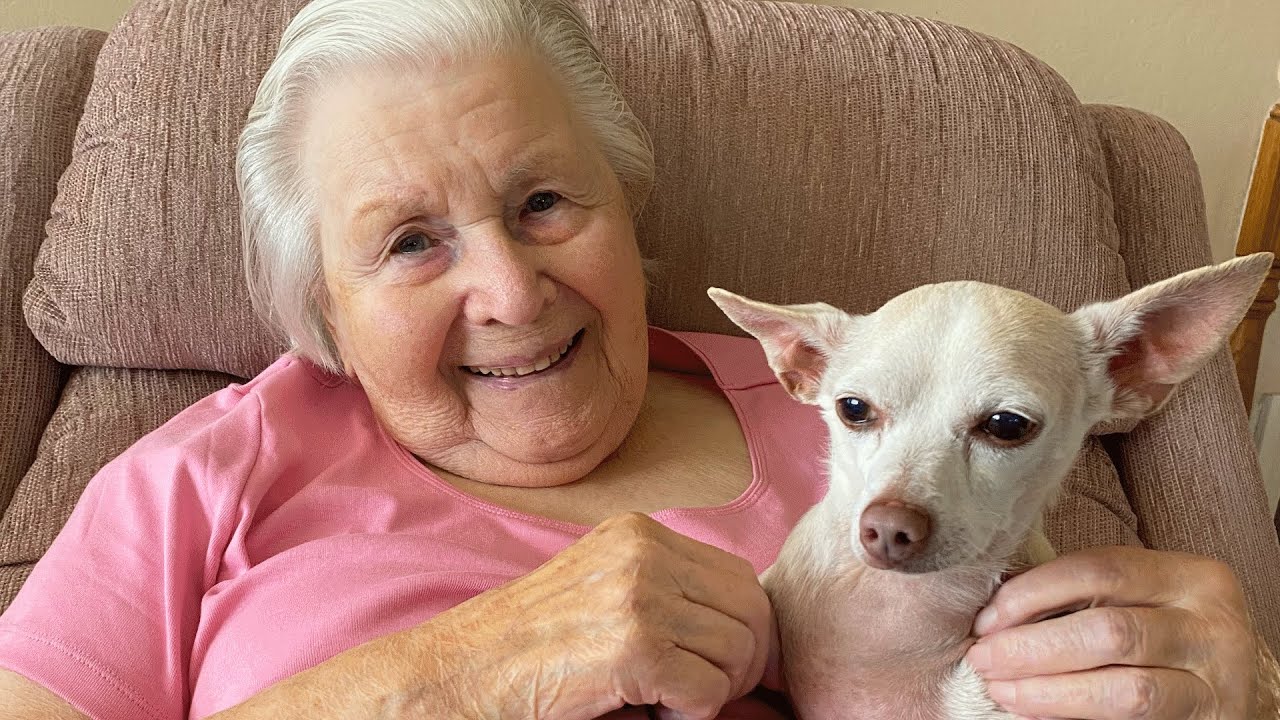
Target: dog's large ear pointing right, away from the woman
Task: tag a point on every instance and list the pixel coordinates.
(1148, 343)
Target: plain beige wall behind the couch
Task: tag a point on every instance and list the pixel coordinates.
(1210, 69)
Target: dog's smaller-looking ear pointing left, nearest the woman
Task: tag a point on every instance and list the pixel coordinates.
(798, 339)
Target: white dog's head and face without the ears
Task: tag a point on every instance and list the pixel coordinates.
(968, 403)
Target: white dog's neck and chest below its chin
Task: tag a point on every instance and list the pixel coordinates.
(884, 642)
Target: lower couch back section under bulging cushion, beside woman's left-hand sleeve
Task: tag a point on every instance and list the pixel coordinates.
(102, 412)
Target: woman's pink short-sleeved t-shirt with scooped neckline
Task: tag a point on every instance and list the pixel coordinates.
(273, 525)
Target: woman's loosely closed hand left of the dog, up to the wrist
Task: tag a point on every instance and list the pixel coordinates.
(633, 614)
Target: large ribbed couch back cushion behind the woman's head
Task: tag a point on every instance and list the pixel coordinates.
(803, 153)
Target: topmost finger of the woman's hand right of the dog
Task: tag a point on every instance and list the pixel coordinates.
(1090, 578)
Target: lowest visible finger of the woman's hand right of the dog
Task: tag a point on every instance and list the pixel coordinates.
(1107, 694)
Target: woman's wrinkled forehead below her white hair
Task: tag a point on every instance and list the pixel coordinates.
(386, 136)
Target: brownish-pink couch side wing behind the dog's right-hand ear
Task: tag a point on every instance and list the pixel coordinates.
(1191, 472)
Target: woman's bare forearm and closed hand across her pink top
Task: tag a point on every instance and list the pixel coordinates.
(633, 614)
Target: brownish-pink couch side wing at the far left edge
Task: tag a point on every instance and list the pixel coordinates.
(44, 79)
